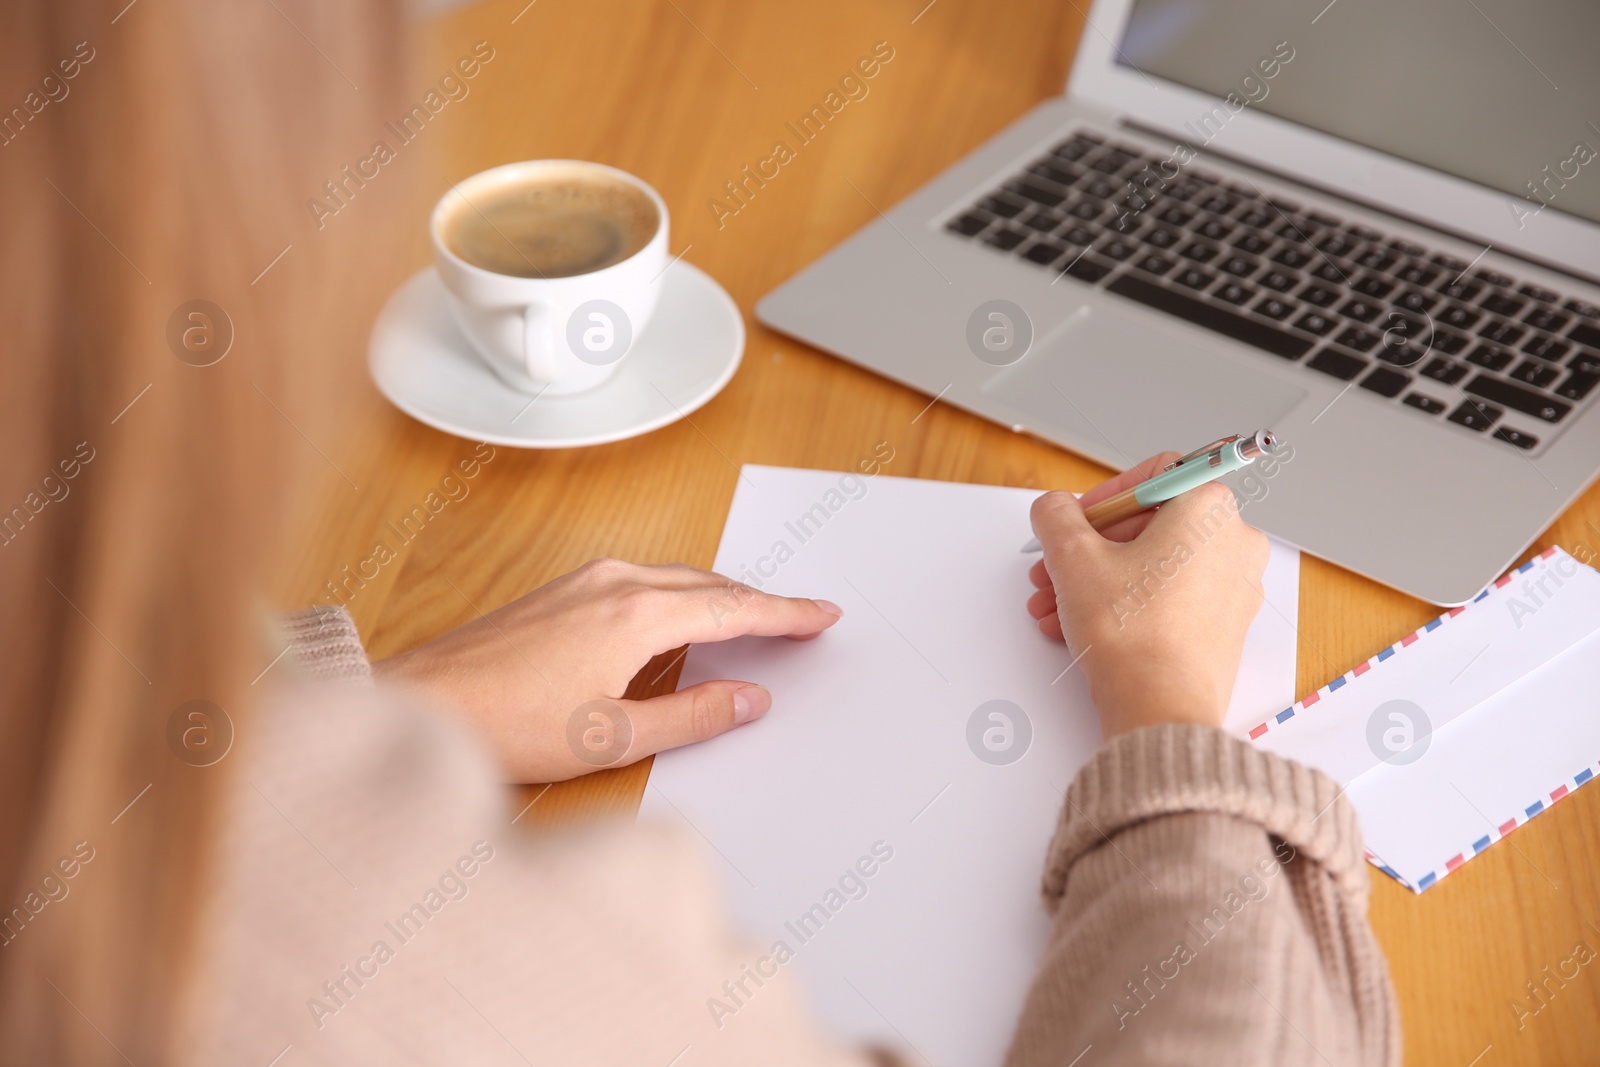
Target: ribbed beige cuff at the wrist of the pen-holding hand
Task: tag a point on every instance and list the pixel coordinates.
(1180, 769)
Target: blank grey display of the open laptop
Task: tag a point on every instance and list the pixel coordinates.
(1505, 94)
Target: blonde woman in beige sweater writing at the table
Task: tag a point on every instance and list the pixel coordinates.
(346, 885)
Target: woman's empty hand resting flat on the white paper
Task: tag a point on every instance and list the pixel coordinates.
(543, 677)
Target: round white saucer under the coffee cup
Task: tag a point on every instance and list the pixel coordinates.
(687, 354)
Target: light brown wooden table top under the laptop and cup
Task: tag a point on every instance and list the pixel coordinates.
(689, 92)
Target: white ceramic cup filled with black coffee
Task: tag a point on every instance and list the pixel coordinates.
(554, 334)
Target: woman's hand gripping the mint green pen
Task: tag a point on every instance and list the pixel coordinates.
(1158, 607)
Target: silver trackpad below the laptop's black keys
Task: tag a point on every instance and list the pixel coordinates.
(1140, 390)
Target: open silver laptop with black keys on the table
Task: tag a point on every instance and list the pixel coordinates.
(1372, 228)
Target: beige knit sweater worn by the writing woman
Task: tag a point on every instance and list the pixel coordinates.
(378, 906)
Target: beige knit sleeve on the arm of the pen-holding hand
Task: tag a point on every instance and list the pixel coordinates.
(1209, 905)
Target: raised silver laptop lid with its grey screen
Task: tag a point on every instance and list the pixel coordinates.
(1479, 118)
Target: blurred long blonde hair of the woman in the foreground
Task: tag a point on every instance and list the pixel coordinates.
(172, 166)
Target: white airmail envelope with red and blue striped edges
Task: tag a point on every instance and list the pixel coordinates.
(1468, 729)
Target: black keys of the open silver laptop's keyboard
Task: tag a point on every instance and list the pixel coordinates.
(1338, 298)
